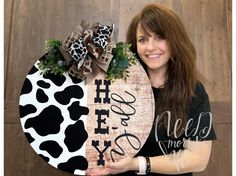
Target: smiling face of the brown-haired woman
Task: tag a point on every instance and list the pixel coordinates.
(153, 50)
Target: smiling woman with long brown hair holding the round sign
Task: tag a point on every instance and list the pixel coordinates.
(181, 138)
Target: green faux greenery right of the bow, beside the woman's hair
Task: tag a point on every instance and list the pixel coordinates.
(123, 58)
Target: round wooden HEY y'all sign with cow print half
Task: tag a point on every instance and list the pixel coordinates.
(77, 125)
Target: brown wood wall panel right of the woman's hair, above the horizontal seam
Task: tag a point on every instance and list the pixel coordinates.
(206, 22)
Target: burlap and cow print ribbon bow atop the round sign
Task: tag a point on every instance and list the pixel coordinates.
(88, 50)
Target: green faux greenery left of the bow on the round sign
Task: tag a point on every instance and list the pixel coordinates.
(53, 62)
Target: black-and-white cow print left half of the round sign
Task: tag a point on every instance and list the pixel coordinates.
(53, 111)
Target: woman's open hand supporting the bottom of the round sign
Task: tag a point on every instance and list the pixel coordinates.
(125, 164)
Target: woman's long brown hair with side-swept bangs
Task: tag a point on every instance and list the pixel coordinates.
(181, 73)
